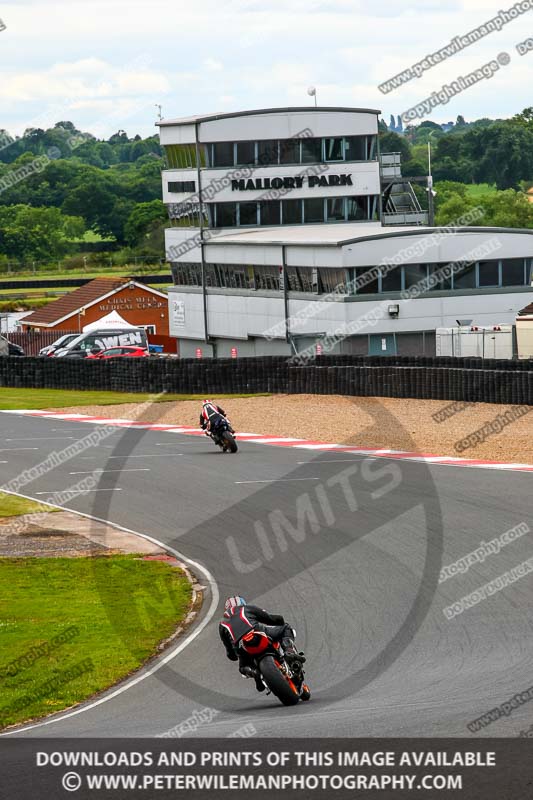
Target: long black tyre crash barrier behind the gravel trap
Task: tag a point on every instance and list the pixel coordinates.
(366, 377)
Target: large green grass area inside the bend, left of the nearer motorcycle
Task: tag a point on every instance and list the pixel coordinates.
(120, 606)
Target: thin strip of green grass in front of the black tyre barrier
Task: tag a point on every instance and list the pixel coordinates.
(12, 399)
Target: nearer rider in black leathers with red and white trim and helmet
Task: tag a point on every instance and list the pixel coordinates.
(239, 619)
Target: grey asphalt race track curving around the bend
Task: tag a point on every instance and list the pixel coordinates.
(357, 575)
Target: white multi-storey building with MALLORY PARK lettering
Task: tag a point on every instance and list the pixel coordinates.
(278, 244)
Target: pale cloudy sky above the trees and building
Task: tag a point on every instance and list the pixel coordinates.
(105, 64)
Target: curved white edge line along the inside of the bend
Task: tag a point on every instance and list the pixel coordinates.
(195, 565)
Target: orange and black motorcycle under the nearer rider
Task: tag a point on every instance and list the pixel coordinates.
(284, 681)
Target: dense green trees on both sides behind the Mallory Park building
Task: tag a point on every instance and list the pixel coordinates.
(57, 184)
